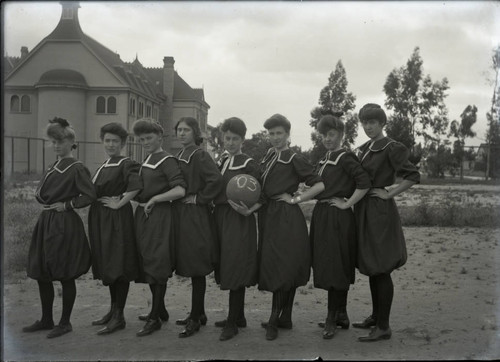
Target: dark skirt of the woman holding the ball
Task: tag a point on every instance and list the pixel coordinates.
(237, 242)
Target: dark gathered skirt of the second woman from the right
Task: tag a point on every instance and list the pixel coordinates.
(333, 243)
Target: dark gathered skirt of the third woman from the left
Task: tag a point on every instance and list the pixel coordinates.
(155, 243)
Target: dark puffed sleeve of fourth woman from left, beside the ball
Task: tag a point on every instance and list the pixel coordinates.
(211, 176)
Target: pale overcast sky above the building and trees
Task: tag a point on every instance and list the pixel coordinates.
(255, 59)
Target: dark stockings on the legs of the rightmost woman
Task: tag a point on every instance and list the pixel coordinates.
(382, 295)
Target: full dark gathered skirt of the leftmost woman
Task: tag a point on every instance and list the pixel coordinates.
(59, 248)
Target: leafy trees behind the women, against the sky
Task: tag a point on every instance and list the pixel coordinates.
(417, 117)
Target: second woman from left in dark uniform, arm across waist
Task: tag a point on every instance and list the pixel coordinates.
(111, 225)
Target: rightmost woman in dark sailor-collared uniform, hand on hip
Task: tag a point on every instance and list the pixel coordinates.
(381, 243)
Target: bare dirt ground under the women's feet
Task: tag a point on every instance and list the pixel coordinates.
(446, 306)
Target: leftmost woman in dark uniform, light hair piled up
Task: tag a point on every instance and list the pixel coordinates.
(59, 248)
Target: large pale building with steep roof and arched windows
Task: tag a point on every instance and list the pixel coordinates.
(71, 75)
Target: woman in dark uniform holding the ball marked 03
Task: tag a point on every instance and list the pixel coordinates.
(236, 233)
